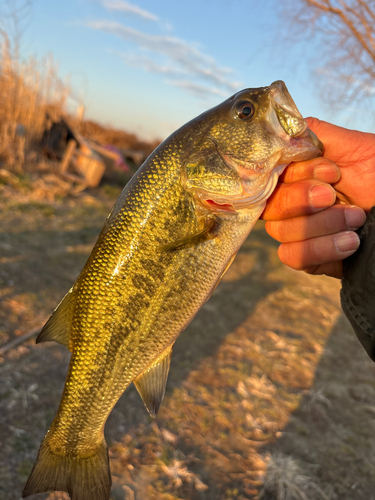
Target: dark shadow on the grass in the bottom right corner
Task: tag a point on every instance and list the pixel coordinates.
(331, 431)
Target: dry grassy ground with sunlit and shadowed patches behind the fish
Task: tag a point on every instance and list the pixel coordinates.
(269, 396)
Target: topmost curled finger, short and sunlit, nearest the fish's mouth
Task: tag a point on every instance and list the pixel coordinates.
(320, 168)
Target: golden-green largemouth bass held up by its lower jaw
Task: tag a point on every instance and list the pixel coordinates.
(170, 237)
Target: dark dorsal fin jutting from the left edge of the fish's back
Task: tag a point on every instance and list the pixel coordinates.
(58, 326)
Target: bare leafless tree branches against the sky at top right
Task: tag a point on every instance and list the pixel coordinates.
(343, 32)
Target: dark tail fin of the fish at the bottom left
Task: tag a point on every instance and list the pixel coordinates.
(86, 478)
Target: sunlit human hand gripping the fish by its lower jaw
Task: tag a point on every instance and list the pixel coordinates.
(316, 238)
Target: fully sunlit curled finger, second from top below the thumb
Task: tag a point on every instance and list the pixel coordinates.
(297, 199)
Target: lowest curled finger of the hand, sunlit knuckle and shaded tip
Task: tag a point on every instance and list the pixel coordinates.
(317, 251)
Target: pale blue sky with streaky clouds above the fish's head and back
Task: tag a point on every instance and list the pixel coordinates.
(149, 66)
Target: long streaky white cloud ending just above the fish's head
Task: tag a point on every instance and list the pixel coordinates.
(185, 58)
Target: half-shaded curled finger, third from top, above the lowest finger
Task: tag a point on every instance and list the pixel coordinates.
(333, 220)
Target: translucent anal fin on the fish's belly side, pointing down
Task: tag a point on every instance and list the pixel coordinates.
(151, 383)
